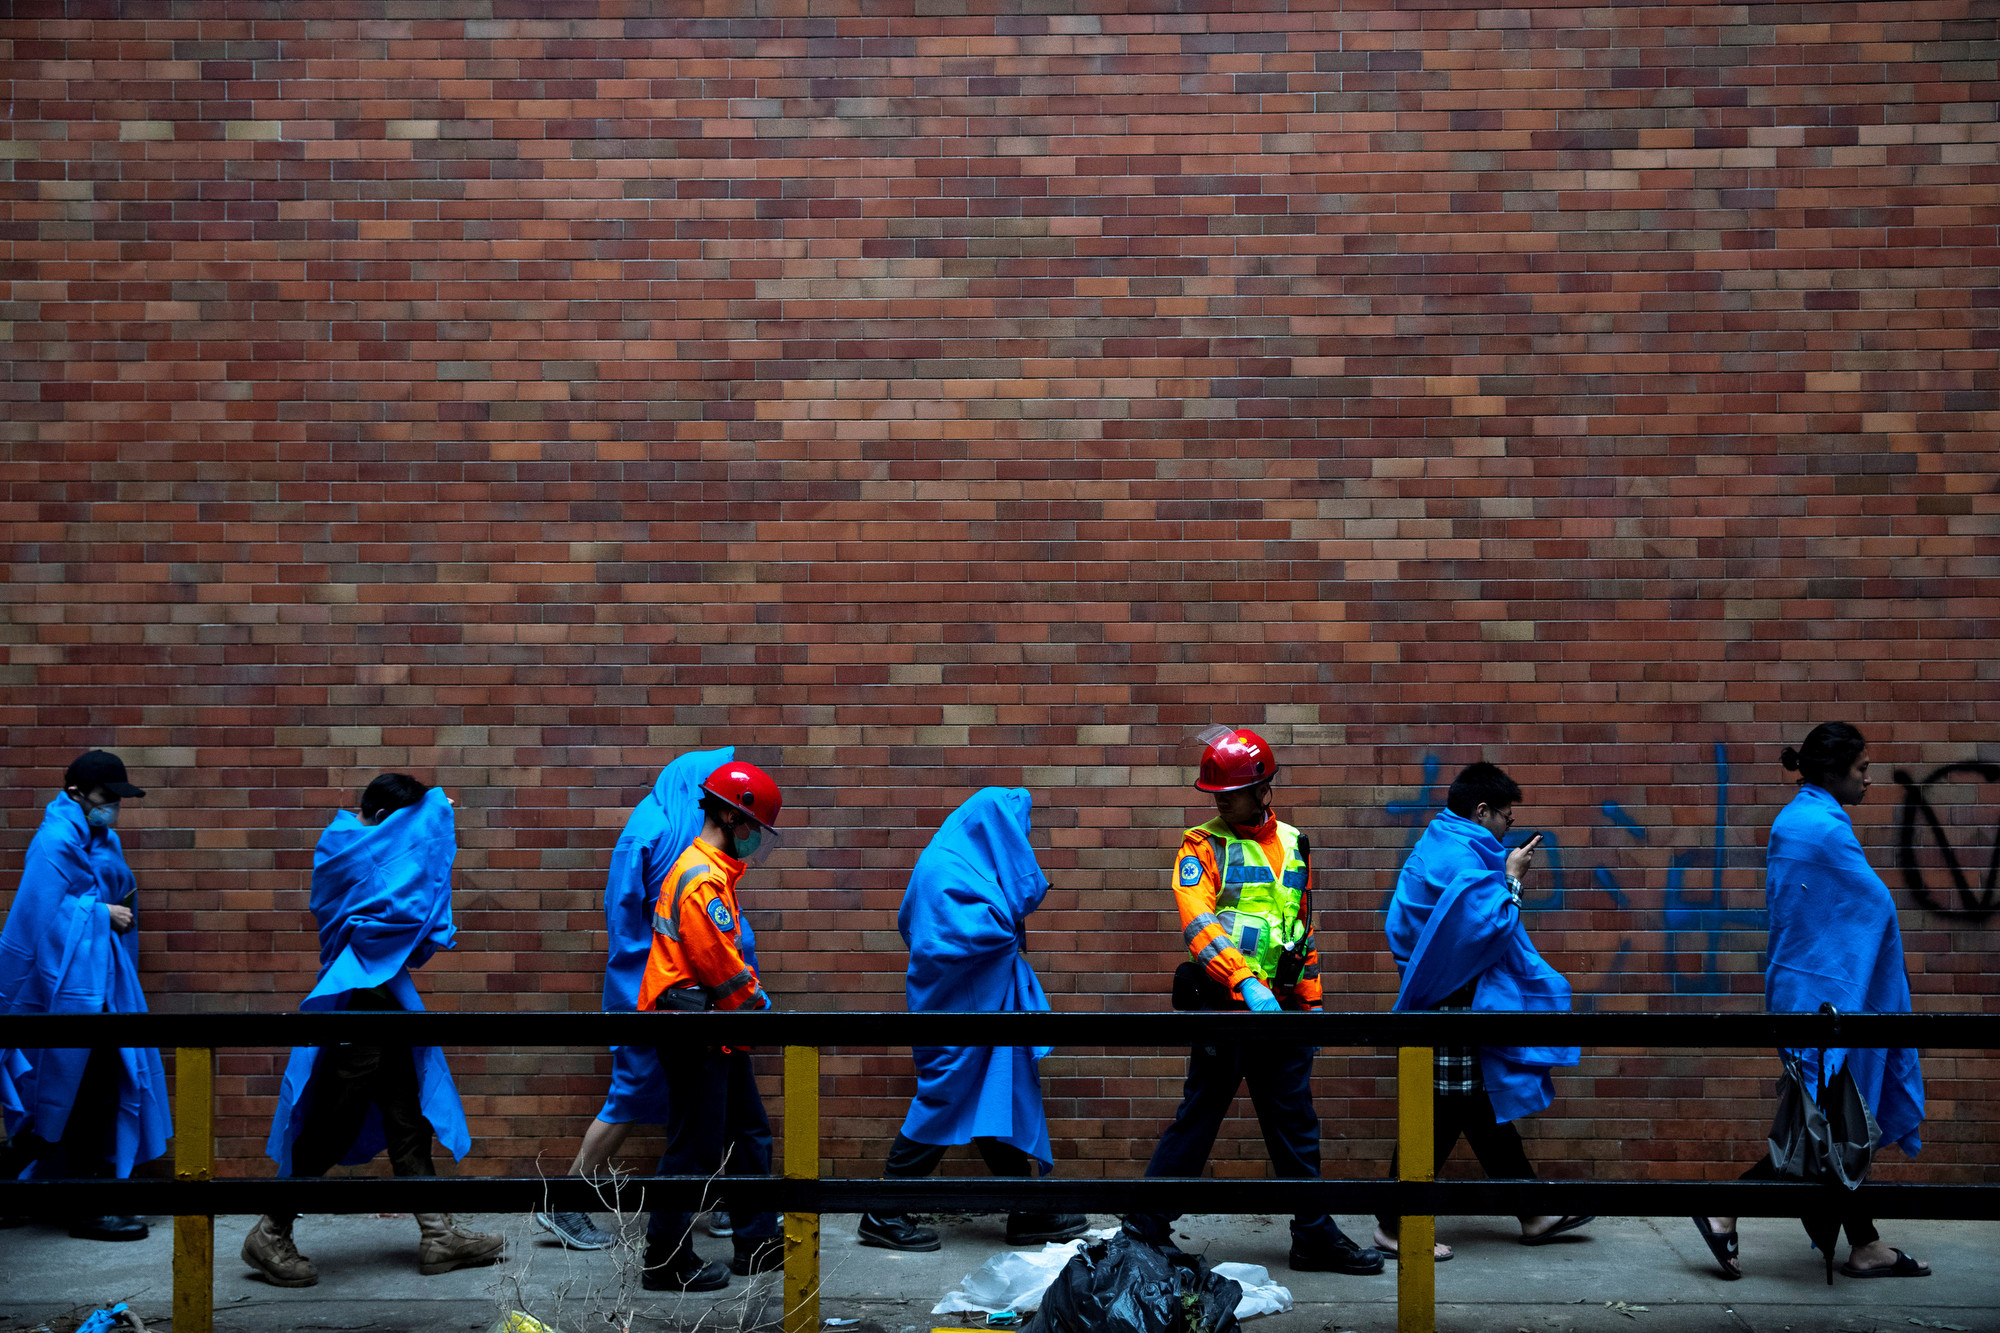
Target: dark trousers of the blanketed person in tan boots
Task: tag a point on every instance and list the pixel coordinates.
(347, 1086)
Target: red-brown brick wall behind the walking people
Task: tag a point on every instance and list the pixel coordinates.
(927, 397)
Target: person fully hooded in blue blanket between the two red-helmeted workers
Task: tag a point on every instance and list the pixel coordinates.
(965, 920)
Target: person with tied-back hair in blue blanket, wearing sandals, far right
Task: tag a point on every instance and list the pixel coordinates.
(1835, 940)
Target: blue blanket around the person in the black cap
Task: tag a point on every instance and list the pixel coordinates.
(59, 954)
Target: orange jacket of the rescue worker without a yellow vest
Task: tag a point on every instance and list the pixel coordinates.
(697, 932)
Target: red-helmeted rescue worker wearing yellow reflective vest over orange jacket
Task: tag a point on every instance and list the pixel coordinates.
(1243, 888)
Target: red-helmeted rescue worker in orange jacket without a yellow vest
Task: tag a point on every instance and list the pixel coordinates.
(699, 962)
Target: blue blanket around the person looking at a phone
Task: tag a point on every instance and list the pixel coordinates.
(1453, 922)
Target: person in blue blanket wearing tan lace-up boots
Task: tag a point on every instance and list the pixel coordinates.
(383, 900)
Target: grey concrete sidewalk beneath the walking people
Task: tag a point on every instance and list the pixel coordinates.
(369, 1280)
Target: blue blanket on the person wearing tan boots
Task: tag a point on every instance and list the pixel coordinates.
(383, 898)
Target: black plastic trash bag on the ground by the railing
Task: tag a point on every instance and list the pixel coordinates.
(1125, 1286)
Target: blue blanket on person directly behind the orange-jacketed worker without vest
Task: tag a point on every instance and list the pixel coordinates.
(659, 830)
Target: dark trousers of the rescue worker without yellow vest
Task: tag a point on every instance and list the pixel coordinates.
(715, 1126)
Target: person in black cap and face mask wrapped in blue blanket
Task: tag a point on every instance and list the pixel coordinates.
(71, 946)
